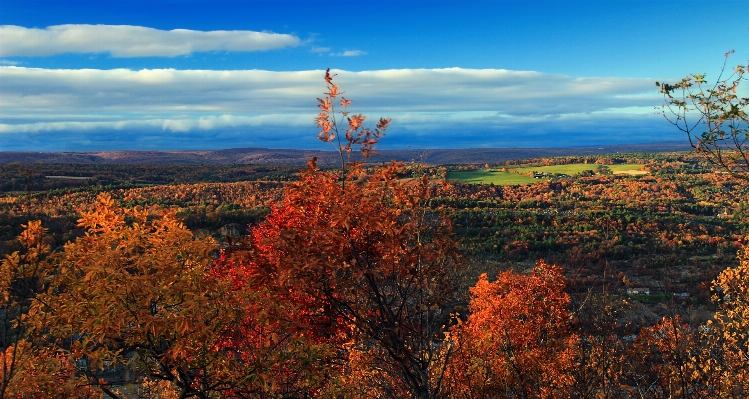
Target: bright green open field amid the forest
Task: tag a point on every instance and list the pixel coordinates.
(505, 178)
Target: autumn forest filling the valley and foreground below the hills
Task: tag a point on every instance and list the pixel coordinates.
(386, 280)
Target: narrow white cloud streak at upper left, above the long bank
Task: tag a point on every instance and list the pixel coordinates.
(132, 41)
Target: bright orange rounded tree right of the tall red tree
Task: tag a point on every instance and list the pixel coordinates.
(517, 340)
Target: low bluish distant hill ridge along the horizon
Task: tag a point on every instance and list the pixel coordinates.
(265, 156)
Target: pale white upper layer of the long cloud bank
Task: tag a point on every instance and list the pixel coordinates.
(168, 91)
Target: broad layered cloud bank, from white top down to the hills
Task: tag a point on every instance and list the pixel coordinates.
(45, 109)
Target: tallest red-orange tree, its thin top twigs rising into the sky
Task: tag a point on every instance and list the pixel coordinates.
(368, 266)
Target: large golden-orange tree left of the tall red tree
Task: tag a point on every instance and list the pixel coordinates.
(133, 298)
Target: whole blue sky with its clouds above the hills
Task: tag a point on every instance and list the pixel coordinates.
(216, 74)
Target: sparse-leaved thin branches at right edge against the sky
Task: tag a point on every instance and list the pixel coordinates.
(713, 116)
